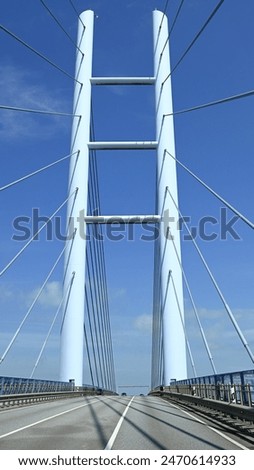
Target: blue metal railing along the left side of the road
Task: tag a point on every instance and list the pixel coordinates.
(14, 385)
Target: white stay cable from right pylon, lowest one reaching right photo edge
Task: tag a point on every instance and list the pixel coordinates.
(227, 308)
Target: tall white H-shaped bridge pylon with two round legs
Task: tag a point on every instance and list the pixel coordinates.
(72, 333)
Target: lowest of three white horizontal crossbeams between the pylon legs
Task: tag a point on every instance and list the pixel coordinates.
(122, 219)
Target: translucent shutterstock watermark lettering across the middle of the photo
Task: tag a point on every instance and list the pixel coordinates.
(208, 228)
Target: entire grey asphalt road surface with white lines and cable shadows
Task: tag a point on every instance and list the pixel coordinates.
(95, 423)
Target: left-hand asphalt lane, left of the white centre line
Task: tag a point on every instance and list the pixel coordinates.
(72, 424)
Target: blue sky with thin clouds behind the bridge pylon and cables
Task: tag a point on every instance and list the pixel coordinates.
(216, 143)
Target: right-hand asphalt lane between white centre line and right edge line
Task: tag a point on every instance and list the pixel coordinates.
(152, 423)
